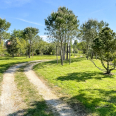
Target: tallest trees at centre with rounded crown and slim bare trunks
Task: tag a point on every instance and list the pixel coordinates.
(62, 26)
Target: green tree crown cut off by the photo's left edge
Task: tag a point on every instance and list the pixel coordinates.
(4, 26)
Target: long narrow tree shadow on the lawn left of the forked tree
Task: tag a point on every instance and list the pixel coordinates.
(83, 76)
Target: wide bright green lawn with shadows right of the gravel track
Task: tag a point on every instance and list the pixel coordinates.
(82, 85)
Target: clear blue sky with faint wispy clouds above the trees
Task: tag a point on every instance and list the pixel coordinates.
(31, 13)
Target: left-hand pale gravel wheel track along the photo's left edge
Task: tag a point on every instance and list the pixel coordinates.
(10, 101)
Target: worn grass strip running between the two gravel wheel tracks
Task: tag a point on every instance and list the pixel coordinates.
(35, 105)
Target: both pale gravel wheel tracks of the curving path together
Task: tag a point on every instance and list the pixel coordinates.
(10, 100)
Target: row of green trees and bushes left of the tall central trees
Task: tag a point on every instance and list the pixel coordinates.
(23, 42)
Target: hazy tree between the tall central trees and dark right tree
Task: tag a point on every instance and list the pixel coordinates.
(90, 31)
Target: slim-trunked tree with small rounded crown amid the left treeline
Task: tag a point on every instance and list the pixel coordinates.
(29, 35)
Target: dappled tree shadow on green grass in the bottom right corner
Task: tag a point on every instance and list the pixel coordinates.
(96, 104)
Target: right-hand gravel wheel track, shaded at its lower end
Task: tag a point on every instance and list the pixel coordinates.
(57, 105)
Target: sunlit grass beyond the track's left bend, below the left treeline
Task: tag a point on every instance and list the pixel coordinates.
(6, 62)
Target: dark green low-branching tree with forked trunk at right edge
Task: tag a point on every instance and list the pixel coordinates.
(105, 47)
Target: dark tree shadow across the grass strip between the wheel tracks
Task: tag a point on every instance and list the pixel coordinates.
(37, 108)
